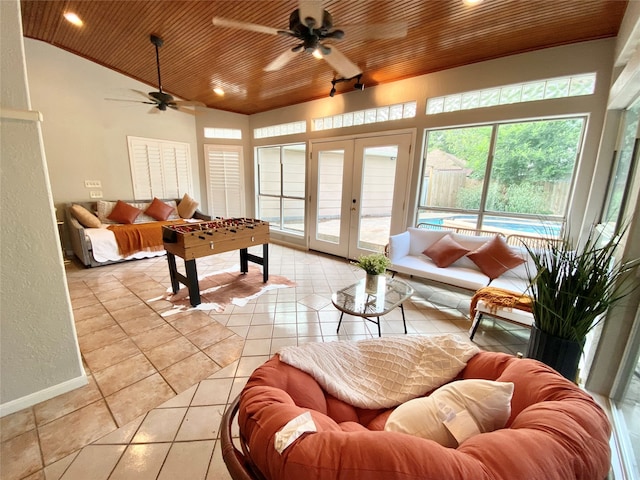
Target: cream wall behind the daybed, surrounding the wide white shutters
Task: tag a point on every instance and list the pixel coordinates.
(85, 135)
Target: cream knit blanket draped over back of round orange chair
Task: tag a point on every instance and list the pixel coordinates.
(383, 372)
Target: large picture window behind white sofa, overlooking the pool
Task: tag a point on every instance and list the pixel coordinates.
(510, 177)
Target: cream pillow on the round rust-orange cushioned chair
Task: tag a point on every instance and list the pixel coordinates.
(455, 412)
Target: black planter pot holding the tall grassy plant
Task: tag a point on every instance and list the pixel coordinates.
(560, 354)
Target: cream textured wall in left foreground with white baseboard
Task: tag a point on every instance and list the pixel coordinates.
(38, 347)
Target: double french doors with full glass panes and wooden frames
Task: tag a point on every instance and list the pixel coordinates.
(358, 195)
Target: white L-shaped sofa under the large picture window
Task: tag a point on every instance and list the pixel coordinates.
(406, 255)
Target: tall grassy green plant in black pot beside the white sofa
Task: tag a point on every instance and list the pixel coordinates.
(572, 288)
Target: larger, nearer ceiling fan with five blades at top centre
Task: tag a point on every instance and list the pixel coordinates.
(312, 25)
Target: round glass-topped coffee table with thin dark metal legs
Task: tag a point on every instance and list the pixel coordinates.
(372, 304)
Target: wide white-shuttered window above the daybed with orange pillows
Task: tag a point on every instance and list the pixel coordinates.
(159, 168)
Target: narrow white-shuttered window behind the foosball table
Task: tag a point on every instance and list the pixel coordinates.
(225, 187)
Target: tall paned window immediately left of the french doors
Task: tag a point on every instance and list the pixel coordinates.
(281, 187)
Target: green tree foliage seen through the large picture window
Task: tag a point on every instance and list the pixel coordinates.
(527, 156)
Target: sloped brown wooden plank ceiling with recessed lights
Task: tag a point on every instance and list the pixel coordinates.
(198, 56)
